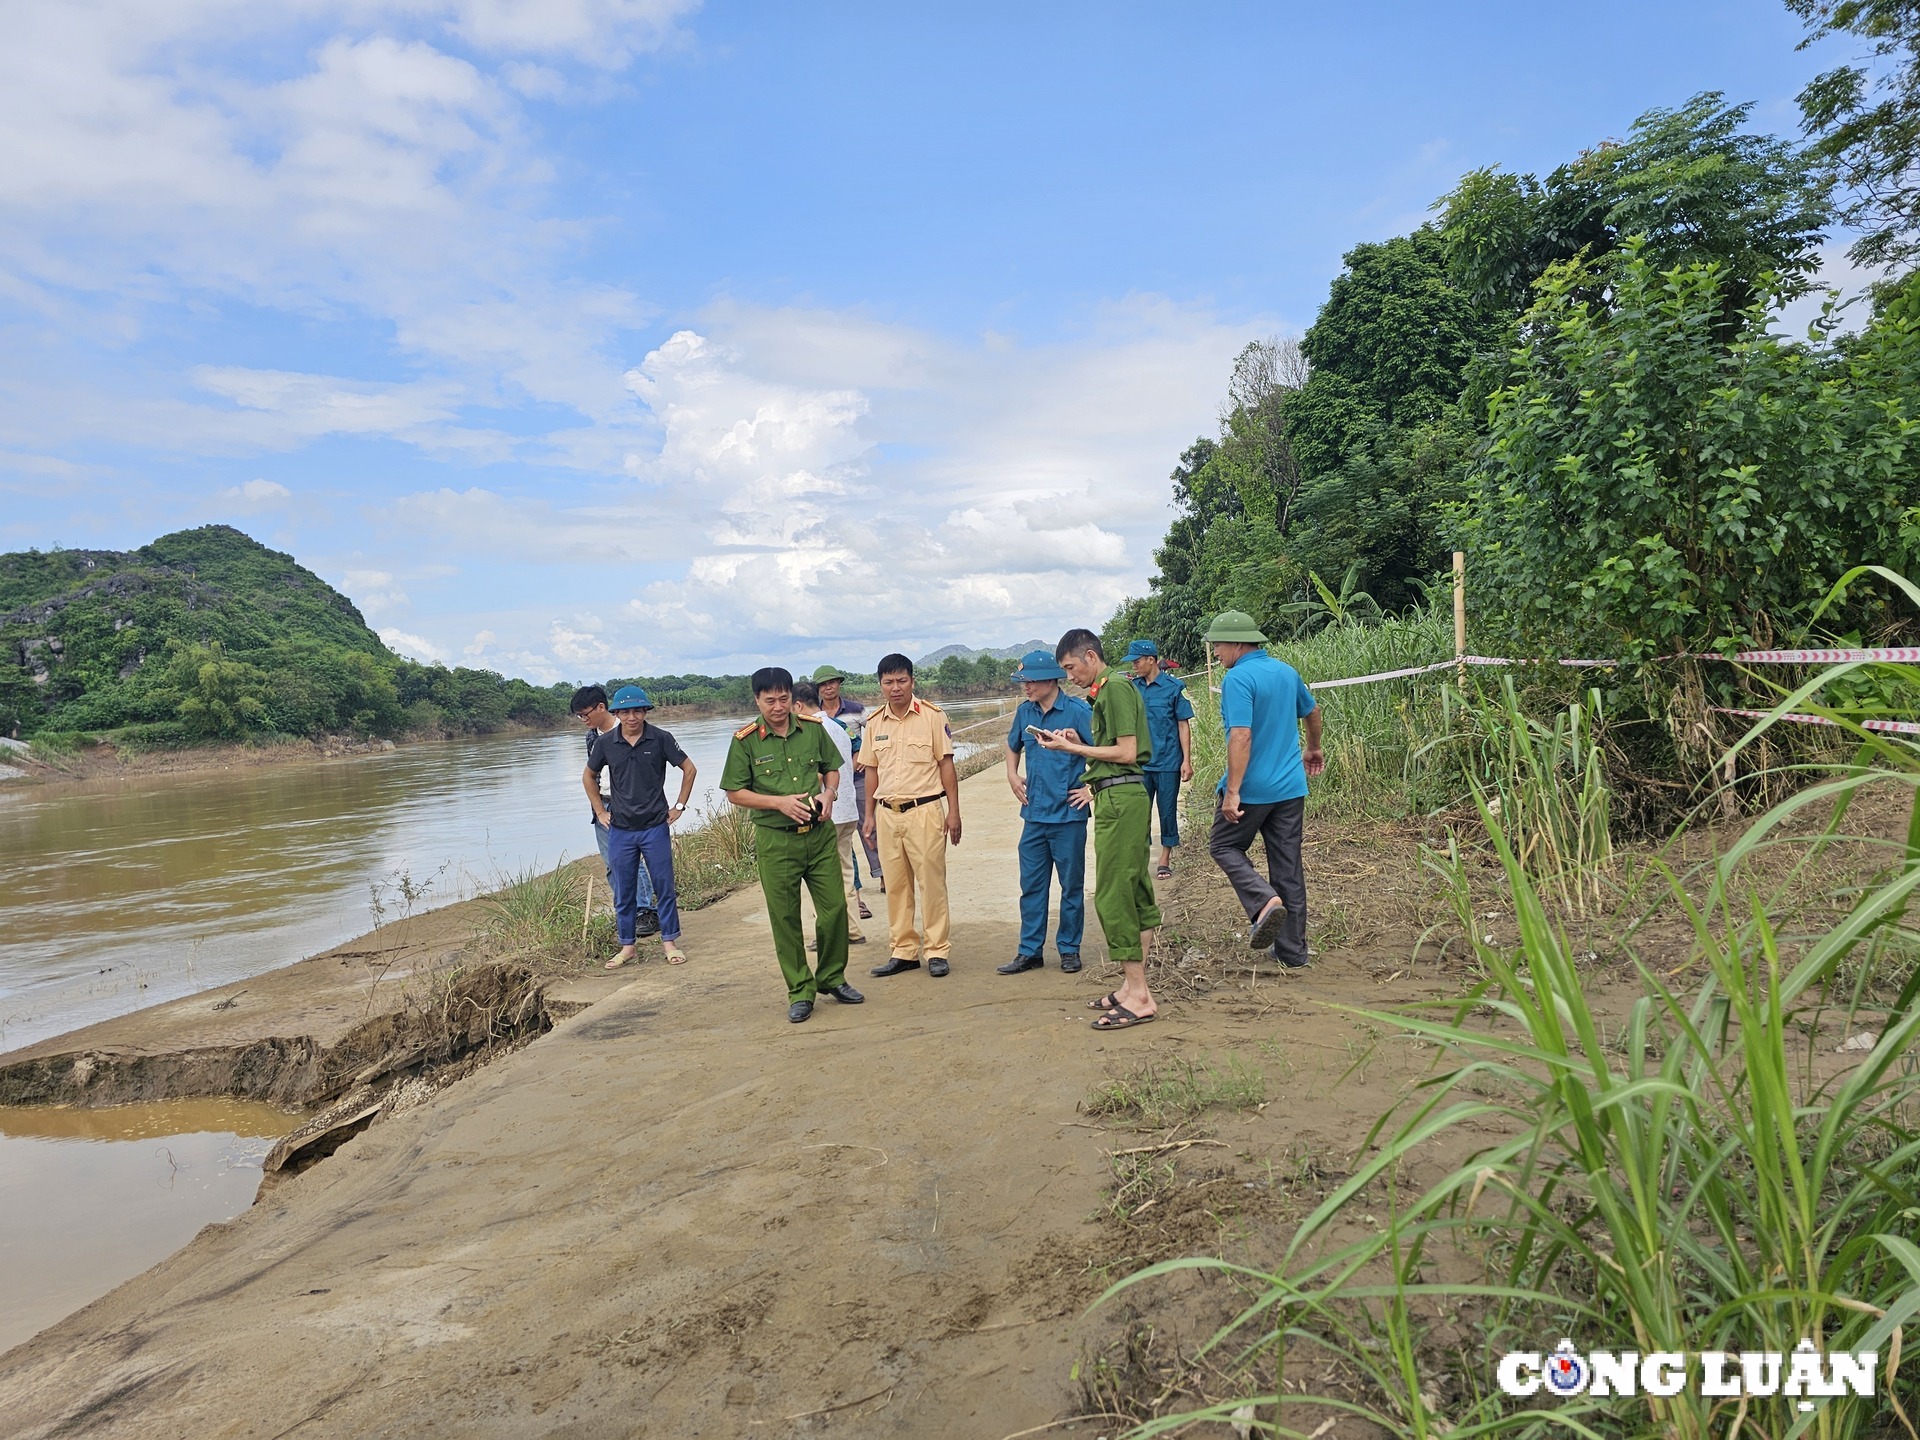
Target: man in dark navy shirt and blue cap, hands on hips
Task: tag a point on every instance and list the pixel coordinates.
(638, 817)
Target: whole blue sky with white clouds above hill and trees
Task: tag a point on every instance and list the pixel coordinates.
(606, 337)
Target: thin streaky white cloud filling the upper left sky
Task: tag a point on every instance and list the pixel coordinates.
(216, 151)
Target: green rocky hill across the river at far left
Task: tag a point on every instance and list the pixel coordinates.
(208, 635)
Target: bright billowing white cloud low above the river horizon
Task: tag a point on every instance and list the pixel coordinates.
(832, 479)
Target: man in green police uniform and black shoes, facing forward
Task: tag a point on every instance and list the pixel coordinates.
(784, 769)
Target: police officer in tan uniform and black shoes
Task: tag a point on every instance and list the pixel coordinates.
(913, 807)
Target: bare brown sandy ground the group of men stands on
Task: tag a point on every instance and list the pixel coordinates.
(683, 1216)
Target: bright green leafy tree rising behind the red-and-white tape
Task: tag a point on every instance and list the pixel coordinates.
(1652, 489)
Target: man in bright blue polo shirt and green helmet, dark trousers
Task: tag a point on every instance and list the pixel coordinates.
(1262, 708)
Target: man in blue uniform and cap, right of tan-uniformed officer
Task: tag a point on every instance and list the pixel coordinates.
(1053, 836)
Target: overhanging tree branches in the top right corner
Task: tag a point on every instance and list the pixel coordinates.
(1869, 126)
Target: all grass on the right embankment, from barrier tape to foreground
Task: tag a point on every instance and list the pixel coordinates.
(1735, 1170)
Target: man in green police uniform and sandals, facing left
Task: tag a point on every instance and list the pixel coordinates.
(1122, 890)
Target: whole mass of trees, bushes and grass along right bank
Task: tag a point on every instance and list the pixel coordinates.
(1579, 383)
